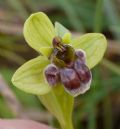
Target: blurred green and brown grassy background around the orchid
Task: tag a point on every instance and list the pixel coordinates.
(99, 108)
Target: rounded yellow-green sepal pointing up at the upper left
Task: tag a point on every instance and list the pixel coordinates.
(39, 31)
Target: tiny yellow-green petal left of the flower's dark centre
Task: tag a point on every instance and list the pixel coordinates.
(46, 51)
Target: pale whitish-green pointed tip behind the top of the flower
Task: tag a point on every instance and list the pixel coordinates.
(60, 29)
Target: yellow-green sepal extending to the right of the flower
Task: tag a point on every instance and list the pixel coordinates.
(94, 44)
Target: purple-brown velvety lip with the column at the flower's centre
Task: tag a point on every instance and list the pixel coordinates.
(69, 68)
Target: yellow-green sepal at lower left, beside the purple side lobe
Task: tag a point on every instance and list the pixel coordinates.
(30, 77)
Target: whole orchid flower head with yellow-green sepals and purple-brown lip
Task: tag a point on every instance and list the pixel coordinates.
(64, 60)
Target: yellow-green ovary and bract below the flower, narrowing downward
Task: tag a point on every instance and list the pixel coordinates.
(60, 104)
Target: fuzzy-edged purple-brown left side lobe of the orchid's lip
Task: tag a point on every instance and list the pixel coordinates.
(52, 74)
